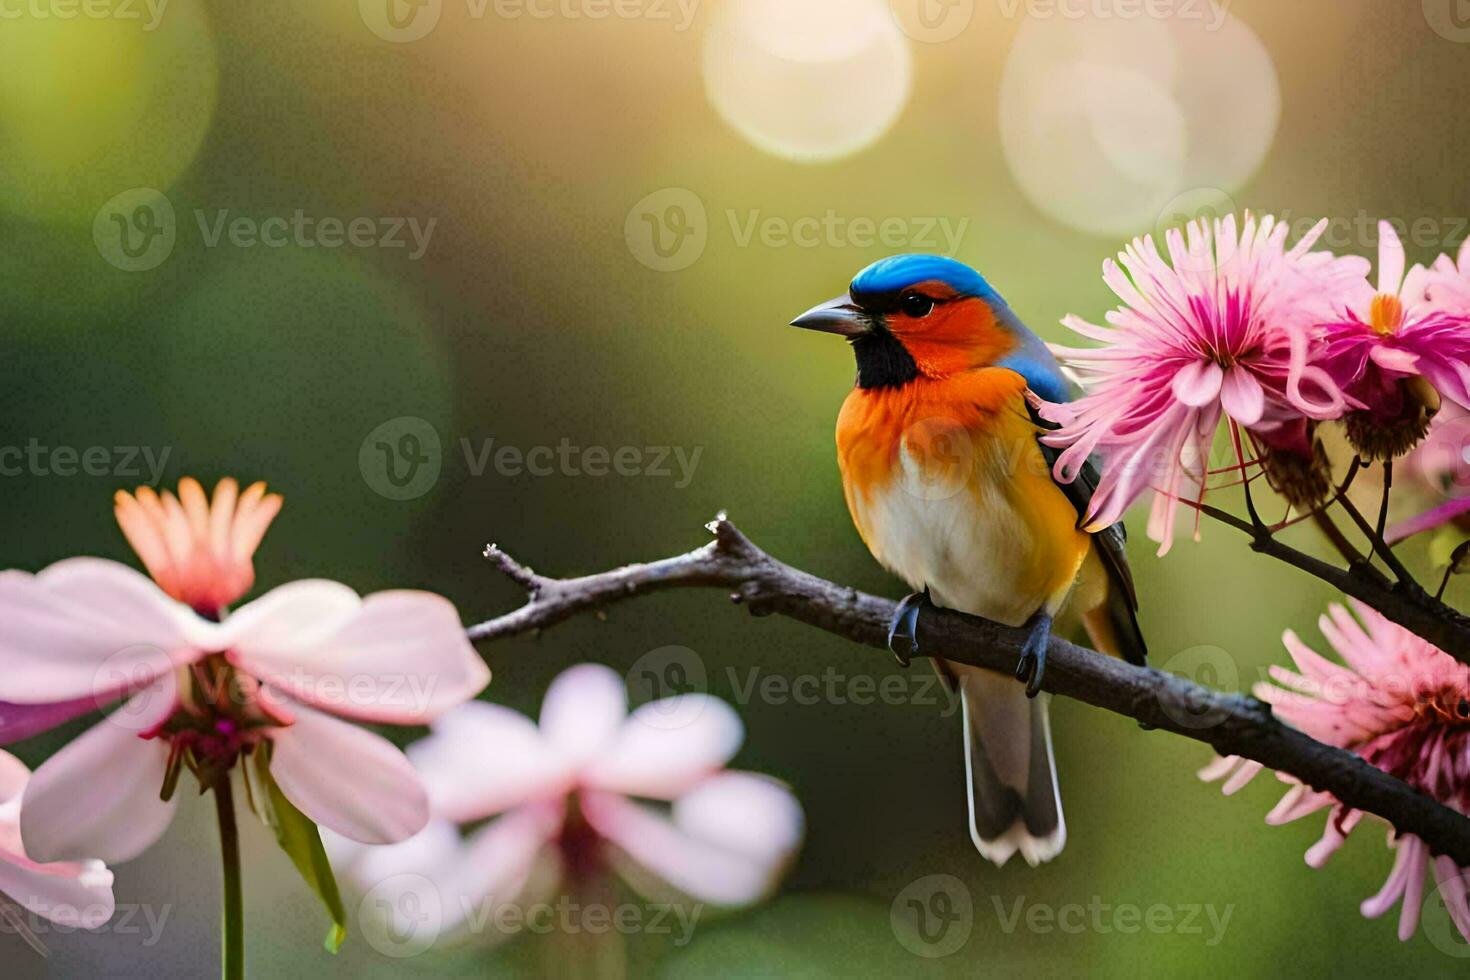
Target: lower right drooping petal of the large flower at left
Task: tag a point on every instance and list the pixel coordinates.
(348, 779)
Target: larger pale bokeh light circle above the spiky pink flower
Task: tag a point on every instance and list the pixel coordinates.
(1106, 121)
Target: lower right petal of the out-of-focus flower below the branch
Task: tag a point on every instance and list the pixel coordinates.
(727, 843)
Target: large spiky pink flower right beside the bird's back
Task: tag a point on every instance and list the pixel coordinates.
(1211, 333)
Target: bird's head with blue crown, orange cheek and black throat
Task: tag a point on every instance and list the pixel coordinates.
(914, 317)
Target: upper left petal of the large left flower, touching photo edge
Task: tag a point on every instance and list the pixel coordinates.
(83, 630)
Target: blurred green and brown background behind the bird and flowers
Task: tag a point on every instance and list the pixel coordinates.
(534, 317)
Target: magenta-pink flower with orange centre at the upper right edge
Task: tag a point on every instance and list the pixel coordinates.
(1383, 343)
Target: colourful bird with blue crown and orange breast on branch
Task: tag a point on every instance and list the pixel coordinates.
(953, 493)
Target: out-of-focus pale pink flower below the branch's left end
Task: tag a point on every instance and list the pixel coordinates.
(561, 796)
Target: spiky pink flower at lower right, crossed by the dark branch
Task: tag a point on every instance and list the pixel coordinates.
(1403, 706)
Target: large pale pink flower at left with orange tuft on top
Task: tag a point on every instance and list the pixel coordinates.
(87, 633)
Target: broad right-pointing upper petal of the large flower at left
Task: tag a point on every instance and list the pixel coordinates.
(395, 657)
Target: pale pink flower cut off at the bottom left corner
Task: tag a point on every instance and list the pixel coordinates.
(74, 894)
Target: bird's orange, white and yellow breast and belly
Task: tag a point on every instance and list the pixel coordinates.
(949, 490)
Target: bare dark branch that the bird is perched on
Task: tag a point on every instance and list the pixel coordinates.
(1233, 725)
